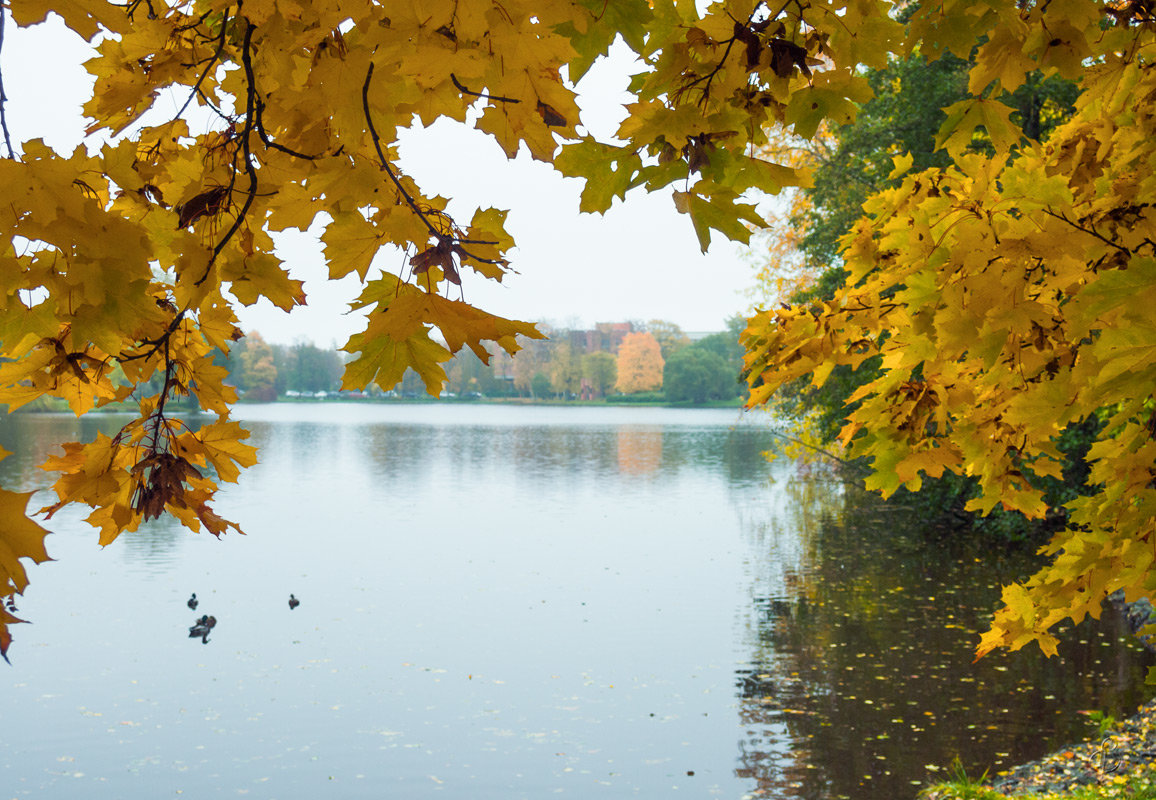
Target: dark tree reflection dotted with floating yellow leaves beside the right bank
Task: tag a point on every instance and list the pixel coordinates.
(863, 635)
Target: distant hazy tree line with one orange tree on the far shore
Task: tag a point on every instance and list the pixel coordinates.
(625, 361)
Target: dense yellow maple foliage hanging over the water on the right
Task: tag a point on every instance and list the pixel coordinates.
(1009, 295)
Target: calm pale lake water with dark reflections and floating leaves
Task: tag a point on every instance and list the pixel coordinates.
(521, 603)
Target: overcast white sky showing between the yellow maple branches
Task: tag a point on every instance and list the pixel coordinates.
(639, 262)
